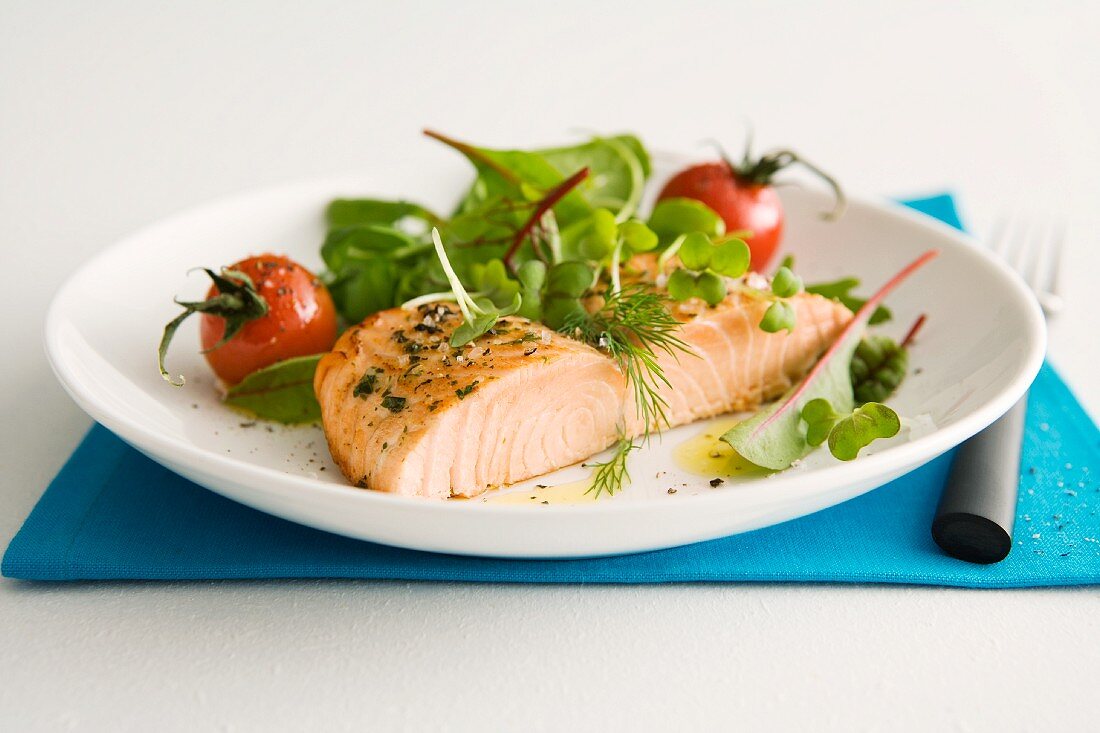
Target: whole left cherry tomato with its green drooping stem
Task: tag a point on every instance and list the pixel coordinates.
(259, 312)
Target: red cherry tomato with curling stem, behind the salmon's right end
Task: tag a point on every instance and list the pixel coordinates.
(744, 198)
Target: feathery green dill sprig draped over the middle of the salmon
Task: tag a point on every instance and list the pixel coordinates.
(634, 326)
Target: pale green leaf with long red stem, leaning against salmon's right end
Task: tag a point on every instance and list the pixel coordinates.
(774, 437)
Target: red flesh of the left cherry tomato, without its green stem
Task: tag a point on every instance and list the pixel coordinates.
(301, 320)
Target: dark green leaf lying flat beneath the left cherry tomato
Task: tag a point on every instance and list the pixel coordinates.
(283, 392)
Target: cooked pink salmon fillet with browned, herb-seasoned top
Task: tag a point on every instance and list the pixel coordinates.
(405, 413)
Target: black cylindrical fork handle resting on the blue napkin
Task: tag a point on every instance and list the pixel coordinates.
(978, 509)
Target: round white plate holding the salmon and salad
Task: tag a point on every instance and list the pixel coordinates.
(980, 352)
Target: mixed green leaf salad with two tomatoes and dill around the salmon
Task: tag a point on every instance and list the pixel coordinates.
(549, 235)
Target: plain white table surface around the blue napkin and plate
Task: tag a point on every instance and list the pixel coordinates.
(114, 115)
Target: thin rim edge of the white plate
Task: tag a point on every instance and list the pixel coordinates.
(914, 453)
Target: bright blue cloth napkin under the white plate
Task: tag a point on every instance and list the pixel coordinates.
(112, 513)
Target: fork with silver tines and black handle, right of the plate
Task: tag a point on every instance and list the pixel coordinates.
(978, 509)
